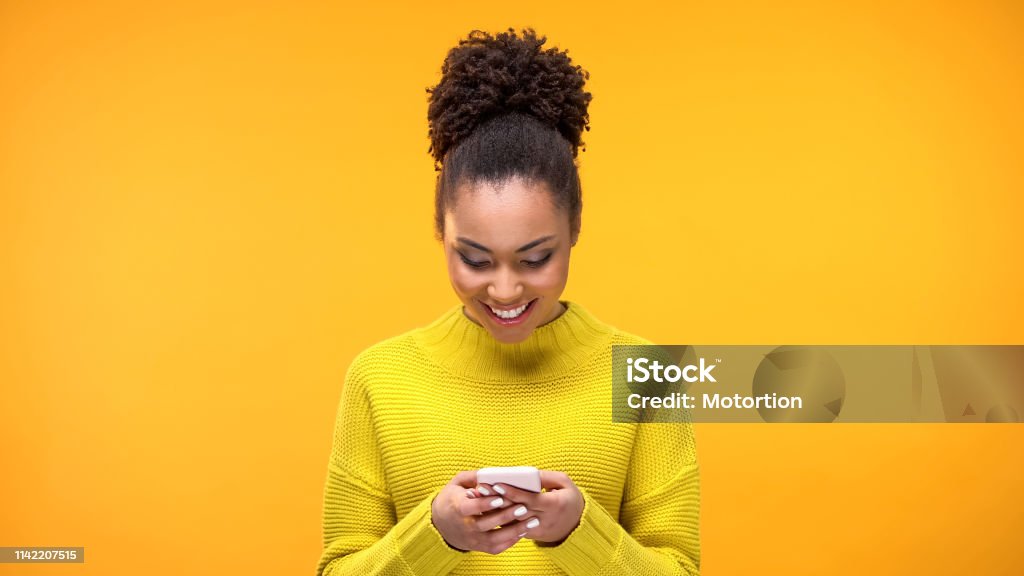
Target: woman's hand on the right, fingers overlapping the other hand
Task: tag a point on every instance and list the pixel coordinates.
(547, 517)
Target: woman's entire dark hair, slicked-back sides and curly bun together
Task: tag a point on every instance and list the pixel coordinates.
(506, 108)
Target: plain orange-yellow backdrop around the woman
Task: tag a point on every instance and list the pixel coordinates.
(207, 211)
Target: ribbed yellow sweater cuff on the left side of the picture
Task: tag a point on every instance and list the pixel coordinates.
(422, 547)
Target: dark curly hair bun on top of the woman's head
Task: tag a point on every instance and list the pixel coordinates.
(488, 76)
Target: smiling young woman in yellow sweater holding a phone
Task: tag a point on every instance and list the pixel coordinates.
(513, 376)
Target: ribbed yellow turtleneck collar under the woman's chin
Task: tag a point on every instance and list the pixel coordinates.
(466, 349)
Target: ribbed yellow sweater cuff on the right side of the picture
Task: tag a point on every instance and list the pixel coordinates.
(592, 546)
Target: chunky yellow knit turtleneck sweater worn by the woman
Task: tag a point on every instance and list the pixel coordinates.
(419, 407)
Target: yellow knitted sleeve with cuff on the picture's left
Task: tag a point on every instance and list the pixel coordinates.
(362, 533)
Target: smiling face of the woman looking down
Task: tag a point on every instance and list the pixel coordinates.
(507, 248)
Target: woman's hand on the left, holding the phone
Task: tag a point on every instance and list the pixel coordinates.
(468, 523)
